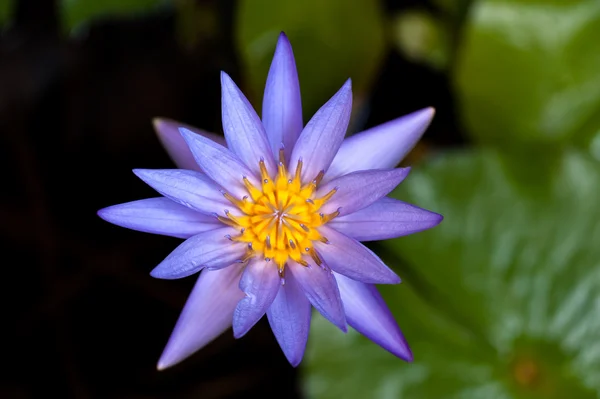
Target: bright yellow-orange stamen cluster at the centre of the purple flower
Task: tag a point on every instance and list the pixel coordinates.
(280, 218)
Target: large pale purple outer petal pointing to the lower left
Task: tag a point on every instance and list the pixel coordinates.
(206, 314)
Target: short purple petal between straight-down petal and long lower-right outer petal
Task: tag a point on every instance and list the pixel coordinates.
(320, 288)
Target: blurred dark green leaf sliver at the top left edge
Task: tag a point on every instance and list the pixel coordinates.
(76, 13)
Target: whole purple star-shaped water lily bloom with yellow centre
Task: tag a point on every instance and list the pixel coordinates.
(272, 216)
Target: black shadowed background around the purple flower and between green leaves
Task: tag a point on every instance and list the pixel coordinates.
(82, 316)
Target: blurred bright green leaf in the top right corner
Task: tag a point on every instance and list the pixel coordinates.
(527, 71)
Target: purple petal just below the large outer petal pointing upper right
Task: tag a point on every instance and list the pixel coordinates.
(358, 190)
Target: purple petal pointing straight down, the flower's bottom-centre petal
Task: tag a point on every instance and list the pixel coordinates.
(289, 317)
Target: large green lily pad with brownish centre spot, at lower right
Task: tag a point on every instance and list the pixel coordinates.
(499, 301)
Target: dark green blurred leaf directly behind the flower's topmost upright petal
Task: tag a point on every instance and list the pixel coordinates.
(333, 40)
